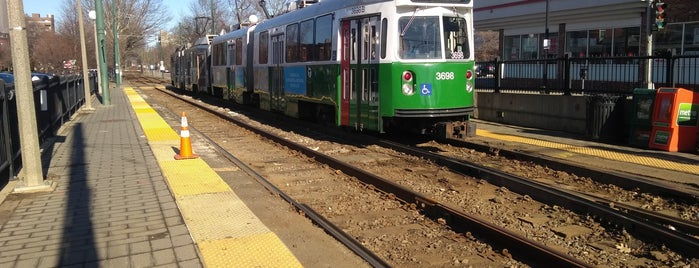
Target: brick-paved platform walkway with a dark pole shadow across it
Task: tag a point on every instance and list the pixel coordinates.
(111, 206)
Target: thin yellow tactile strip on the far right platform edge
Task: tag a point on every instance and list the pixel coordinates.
(616, 156)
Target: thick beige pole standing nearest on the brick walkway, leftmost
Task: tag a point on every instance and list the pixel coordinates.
(32, 177)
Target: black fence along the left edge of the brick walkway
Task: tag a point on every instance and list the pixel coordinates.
(56, 99)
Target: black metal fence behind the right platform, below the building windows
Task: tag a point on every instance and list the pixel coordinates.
(588, 76)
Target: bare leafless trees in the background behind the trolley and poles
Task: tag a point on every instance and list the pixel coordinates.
(141, 25)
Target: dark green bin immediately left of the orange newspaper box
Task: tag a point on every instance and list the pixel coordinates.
(641, 114)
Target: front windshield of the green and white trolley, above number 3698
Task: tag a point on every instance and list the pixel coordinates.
(421, 38)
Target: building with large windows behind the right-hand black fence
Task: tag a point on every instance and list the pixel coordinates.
(606, 28)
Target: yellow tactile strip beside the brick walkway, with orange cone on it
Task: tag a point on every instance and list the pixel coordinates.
(226, 232)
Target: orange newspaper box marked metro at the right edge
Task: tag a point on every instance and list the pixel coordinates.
(674, 121)
